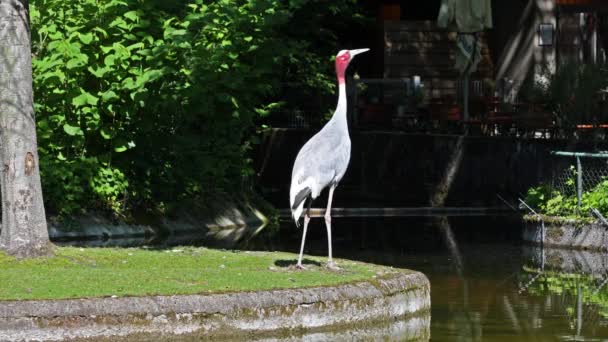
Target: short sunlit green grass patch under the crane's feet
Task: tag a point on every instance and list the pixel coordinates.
(99, 272)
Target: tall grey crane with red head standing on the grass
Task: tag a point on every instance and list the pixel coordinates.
(323, 160)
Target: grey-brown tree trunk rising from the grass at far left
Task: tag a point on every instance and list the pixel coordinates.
(24, 231)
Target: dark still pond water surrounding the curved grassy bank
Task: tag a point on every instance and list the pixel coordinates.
(486, 285)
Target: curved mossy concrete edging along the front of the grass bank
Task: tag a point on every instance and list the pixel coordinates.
(398, 295)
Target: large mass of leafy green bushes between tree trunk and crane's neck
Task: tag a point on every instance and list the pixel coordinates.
(146, 103)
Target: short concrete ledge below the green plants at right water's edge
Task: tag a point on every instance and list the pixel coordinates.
(562, 233)
